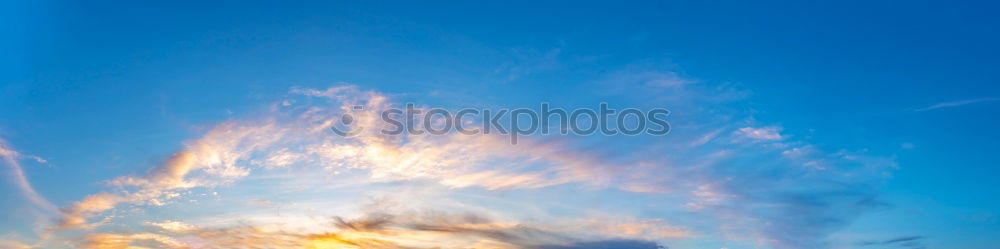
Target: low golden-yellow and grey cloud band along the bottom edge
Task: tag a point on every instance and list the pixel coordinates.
(373, 230)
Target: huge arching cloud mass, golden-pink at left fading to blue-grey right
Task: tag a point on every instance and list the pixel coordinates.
(754, 191)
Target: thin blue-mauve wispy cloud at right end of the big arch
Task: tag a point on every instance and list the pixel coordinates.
(762, 187)
